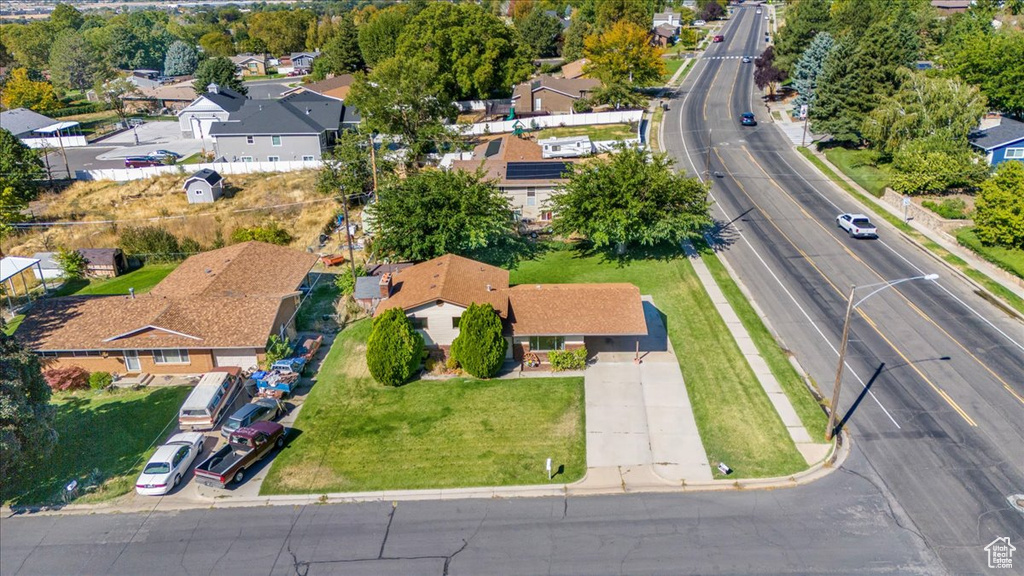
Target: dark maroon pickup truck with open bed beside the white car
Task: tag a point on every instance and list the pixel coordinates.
(245, 447)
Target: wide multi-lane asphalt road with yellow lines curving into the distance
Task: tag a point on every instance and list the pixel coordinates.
(935, 373)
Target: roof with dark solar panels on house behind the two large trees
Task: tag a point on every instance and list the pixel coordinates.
(511, 160)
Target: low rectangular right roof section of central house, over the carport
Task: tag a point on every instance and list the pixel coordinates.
(589, 310)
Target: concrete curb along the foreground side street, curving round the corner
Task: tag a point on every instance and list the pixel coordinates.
(836, 458)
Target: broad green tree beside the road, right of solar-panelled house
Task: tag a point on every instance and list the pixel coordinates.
(632, 198)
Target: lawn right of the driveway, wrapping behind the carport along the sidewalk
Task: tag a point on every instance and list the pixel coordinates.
(738, 423)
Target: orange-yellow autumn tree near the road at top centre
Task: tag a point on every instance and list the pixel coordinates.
(624, 55)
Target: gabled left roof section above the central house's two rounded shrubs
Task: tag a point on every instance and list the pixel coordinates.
(452, 279)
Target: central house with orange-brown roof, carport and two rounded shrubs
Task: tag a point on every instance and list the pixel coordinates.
(537, 318)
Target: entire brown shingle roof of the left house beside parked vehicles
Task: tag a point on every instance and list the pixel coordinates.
(223, 299)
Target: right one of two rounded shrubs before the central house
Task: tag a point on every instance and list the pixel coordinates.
(480, 349)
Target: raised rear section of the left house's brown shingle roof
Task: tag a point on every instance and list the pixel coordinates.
(250, 269)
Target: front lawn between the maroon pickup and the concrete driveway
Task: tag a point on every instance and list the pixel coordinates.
(356, 435)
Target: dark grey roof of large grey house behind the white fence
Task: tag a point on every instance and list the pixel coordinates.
(303, 113)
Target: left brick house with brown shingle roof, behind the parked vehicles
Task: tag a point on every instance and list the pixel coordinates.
(218, 309)
